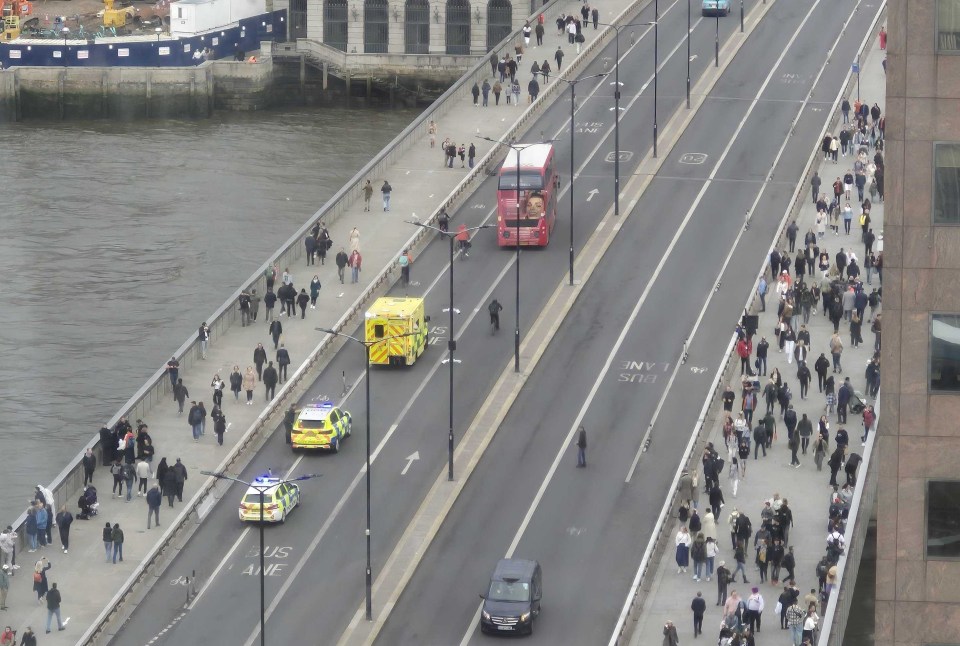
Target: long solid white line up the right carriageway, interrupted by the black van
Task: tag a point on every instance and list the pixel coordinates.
(568, 440)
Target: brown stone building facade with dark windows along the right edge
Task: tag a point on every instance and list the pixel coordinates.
(918, 497)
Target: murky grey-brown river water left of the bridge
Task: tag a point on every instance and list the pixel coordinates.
(117, 239)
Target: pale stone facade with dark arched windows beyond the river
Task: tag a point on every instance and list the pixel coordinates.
(451, 27)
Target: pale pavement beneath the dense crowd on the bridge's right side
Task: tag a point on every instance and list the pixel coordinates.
(807, 490)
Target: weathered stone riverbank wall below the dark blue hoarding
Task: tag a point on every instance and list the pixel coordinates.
(129, 93)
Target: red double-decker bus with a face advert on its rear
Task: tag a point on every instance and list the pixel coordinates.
(533, 166)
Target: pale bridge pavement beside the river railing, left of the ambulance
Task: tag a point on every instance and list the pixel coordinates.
(420, 184)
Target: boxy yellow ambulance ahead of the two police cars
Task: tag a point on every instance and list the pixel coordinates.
(396, 328)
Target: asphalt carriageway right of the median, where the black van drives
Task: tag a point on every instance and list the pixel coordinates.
(588, 528)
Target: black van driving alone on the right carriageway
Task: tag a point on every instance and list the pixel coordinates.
(512, 601)
